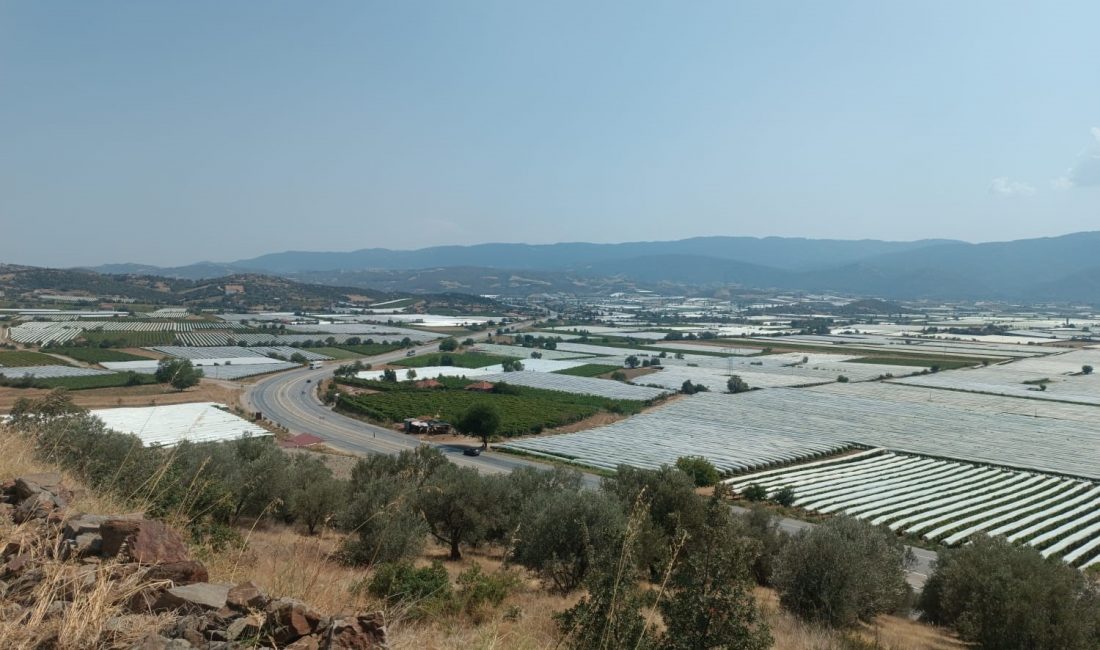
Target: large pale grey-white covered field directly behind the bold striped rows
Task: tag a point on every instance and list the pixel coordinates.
(785, 425)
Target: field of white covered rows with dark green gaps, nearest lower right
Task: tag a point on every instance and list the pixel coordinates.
(949, 502)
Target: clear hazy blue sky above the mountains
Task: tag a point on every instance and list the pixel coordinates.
(169, 134)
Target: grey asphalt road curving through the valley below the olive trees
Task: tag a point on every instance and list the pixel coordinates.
(291, 400)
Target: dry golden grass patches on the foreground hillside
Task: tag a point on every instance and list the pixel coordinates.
(287, 564)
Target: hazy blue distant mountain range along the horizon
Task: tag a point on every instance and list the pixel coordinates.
(1063, 269)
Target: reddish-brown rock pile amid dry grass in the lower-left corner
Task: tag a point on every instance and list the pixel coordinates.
(91, 548)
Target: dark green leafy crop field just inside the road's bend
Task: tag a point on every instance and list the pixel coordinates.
(523, 411)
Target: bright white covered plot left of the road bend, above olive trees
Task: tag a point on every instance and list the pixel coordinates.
(171, 425)
